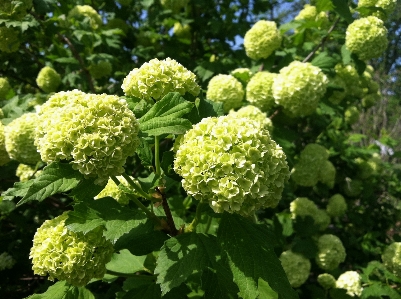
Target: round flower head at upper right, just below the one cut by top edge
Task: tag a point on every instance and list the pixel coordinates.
(366, 37)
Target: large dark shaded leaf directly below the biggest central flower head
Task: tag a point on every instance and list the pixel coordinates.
(251, 257)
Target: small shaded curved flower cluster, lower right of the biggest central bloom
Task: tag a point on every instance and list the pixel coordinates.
(303, 207)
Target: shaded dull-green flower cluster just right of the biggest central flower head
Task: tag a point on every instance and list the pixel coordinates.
(313, 167)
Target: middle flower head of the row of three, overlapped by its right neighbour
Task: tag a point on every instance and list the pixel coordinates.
(259, 90)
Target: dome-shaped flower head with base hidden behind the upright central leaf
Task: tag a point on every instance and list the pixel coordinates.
(156, 78)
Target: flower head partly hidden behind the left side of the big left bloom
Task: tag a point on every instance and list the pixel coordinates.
(20, 139)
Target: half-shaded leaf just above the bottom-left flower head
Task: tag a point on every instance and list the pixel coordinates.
(117, 219)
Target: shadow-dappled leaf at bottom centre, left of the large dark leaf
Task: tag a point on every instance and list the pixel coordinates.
(180, 257)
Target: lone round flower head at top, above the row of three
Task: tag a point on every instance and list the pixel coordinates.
(262, 40)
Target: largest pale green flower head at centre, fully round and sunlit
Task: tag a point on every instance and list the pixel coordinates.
(232, 164)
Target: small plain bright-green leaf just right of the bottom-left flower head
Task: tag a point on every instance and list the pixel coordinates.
(126, 263)
